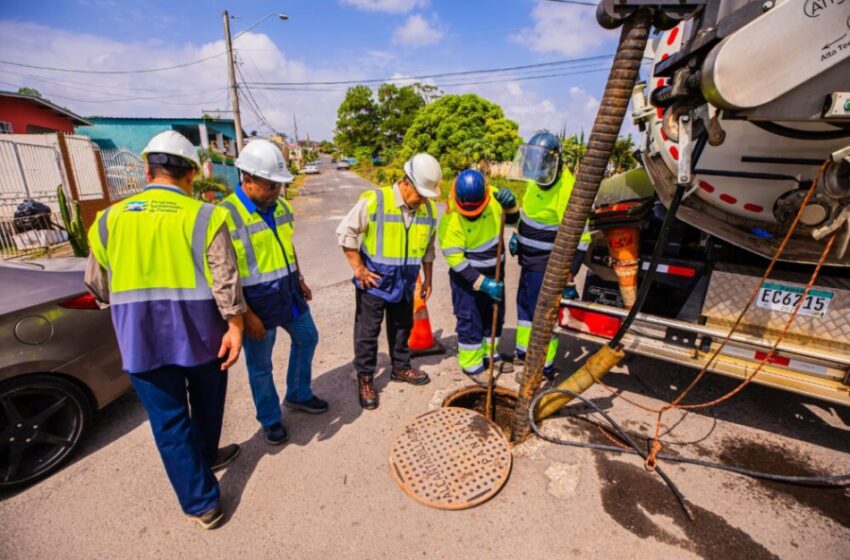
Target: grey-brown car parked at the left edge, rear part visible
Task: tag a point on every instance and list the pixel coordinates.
(59, 362)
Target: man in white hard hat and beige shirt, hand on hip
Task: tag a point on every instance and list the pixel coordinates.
(386, 237)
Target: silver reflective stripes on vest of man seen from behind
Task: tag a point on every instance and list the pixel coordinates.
(201, 290)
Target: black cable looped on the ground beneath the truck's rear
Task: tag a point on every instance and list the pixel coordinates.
(837, 481)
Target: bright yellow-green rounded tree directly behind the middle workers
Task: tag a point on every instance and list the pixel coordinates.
(461, 131)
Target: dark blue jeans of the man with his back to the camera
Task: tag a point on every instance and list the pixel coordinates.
(185, 406)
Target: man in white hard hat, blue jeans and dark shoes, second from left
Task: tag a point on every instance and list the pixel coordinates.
(261, 224)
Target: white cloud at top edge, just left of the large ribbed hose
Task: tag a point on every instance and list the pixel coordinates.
(563, 29)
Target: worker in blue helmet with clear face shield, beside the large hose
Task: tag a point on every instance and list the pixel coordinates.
(547, 194)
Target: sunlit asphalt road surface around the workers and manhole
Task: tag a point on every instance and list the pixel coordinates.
(328, 493)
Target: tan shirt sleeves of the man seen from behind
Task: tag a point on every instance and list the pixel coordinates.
(226, 288)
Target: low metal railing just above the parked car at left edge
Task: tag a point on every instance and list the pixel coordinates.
(23, 236)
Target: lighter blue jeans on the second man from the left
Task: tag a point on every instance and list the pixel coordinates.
(258, 356)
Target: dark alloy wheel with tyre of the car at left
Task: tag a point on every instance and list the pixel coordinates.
(42, 418)
